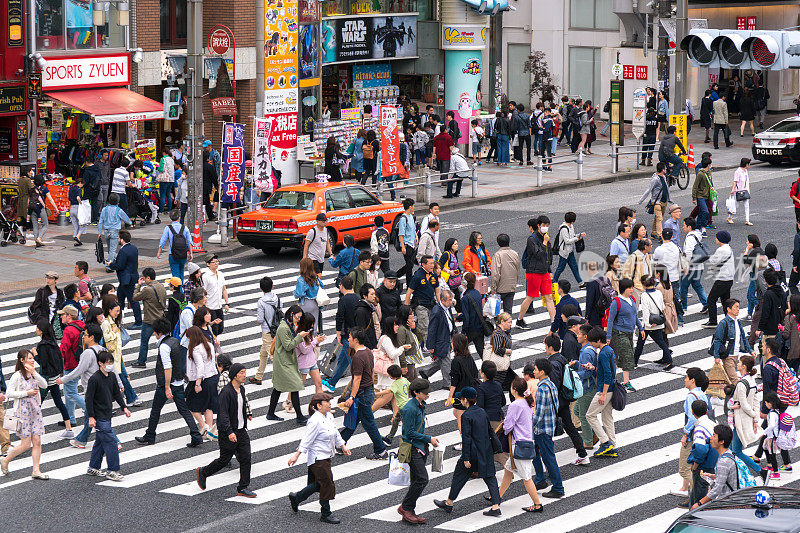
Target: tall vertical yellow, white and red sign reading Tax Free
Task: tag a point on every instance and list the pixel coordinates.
(282, 80)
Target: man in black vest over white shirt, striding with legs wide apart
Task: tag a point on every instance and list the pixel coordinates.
(169, 369)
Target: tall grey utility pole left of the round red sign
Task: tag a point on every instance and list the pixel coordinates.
(194, 119)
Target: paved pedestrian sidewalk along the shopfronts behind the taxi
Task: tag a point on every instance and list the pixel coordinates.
(24, 266)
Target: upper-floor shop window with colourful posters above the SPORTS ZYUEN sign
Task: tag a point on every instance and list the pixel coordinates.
(68, 24)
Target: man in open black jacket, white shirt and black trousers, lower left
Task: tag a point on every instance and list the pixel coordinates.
(233, 437)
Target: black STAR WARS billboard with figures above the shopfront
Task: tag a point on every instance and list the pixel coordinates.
(367, 38)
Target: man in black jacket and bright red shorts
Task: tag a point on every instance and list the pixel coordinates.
(536, 260)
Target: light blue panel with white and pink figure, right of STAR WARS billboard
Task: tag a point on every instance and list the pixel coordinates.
(463, 72)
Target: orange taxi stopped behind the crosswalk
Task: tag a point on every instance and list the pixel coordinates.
(291, 211)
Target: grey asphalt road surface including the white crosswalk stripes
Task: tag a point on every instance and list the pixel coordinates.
(605, 496)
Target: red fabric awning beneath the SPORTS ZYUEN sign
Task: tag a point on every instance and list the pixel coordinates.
(111, 105)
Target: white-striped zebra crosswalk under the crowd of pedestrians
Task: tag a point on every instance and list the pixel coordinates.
(628, 494)
